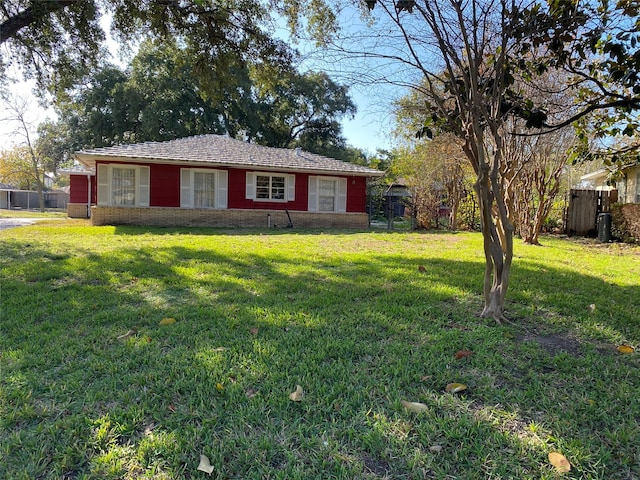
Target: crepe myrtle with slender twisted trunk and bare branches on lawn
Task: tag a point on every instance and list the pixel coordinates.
(462, 54)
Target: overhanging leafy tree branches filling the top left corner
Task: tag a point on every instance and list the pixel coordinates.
(59, 42)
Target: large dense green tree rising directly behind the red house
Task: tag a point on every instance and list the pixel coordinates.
(160, 98)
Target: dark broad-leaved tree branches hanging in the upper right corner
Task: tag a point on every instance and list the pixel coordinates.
(597, 44)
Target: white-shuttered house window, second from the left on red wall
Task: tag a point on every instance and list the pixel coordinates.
(203, 188)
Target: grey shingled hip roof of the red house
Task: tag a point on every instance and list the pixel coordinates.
(217, 150)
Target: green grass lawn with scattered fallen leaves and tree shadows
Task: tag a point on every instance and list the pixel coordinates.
(350, 317)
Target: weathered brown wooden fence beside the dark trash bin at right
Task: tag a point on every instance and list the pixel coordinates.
(584, 208)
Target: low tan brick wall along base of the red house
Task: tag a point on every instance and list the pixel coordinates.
(182, 217)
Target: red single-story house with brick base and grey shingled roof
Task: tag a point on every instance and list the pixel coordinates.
(214, 180)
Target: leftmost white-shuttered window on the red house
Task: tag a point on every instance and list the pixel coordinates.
(123, 185)
